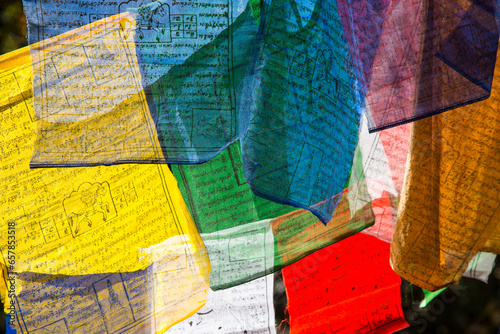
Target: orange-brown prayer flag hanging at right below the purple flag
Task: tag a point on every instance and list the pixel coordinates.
(449, 209)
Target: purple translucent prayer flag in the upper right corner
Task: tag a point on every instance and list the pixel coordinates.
(420, 57)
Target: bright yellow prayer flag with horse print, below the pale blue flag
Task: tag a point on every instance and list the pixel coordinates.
(78, 221)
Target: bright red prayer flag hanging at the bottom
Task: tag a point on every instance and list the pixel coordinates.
(345, 288)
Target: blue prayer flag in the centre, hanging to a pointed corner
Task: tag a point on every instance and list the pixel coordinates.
(304, 108)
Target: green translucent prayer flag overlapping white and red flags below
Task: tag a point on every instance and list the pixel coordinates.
(247, 236)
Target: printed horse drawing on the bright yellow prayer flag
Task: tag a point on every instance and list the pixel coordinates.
(91, 205)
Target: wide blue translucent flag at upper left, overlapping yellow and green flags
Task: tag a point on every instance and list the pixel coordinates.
(157, 82)
